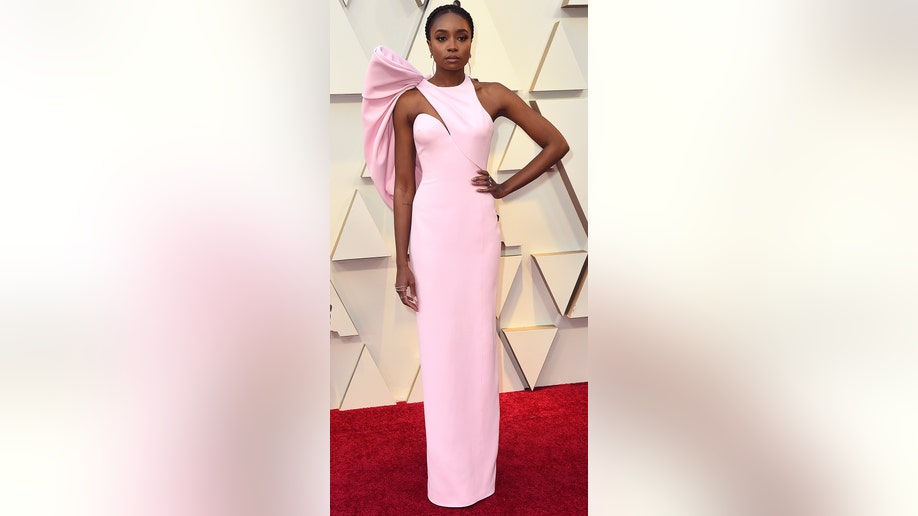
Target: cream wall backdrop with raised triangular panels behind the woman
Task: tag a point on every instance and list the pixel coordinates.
(538, 48)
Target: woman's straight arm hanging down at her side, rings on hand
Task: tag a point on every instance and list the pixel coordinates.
(403, 197)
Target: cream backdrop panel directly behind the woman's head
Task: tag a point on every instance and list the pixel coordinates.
(490, 60)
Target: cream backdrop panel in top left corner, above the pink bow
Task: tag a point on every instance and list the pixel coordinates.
(348, 66)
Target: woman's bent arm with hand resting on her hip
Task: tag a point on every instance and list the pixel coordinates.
(553, 144)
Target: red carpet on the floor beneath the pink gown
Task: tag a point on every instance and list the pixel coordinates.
(378, 463)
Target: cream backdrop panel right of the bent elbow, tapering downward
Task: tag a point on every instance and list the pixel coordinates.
(569, 116)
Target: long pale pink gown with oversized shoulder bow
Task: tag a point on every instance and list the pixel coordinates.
(455, 256)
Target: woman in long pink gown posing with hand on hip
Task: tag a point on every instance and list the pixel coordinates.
(427, 142)
